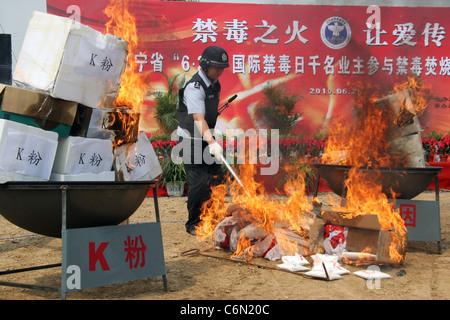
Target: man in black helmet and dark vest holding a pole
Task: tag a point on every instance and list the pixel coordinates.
(197, 115)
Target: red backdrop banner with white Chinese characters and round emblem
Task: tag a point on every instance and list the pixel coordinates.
(320, 52)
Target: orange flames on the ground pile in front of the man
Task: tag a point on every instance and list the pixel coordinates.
(257, 209)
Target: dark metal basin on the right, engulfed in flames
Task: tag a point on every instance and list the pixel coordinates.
(406, 183)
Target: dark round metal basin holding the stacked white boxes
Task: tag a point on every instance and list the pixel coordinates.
(37, 206)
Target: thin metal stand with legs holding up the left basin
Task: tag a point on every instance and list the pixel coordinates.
(64, 189)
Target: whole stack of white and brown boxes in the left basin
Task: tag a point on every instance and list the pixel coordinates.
(66, 80)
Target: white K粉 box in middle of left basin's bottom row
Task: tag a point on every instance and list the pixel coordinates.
(77, 155)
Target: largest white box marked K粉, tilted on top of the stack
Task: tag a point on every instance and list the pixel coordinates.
(71, 61)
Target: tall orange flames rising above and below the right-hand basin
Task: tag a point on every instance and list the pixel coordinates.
(366, 144)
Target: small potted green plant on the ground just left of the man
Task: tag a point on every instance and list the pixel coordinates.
(173, 176)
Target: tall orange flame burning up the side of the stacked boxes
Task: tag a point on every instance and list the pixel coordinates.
(124, 120)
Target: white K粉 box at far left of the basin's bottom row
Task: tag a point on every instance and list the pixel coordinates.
(26, 150)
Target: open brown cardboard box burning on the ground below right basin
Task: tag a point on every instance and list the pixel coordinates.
(365, 241)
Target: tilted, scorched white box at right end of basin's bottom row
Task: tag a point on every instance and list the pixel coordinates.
(137, 161)
